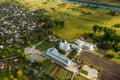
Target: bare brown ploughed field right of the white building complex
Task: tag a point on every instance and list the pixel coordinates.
(111, 71)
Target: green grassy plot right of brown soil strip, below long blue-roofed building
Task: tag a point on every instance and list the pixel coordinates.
(64, 74)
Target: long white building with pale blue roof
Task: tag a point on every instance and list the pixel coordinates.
(53, 53)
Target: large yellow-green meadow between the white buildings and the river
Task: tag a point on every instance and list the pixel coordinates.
(77, 23)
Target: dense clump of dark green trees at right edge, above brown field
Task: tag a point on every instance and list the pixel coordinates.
(107, 38)
